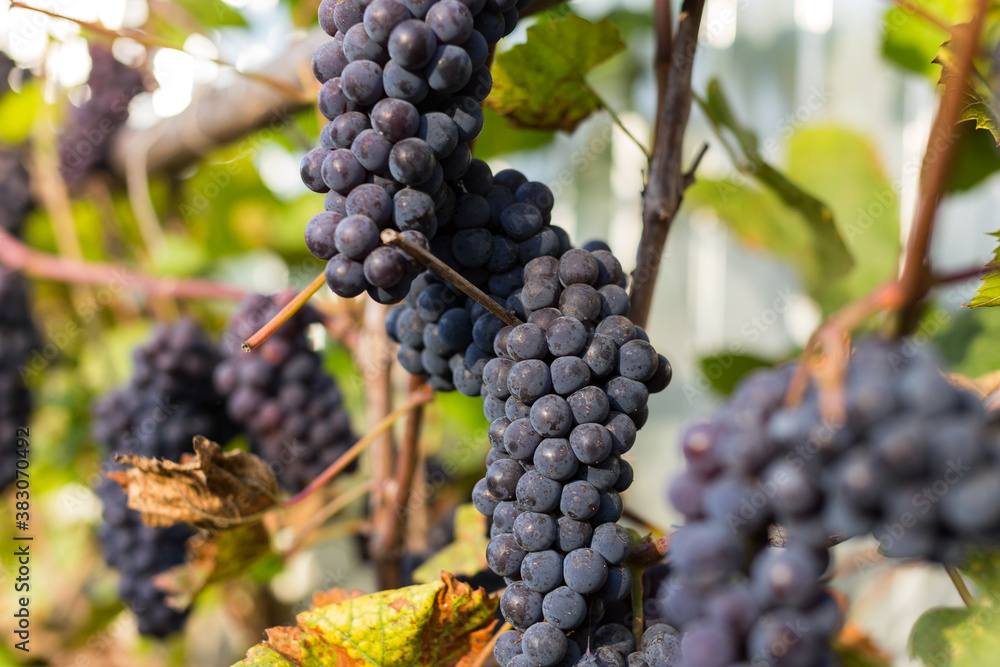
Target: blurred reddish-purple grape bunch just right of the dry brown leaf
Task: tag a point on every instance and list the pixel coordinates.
(292, 409)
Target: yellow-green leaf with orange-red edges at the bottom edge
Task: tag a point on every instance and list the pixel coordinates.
(442, 624)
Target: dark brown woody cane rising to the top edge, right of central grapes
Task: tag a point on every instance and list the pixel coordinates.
(665, 187)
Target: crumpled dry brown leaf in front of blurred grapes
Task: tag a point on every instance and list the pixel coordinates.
(215, 490)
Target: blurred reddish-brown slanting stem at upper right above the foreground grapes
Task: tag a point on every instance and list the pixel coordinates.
(936, 166)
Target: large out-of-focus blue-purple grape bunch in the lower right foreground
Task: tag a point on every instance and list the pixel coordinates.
(913, 461)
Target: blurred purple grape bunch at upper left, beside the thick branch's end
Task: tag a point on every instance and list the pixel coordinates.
(83, 145)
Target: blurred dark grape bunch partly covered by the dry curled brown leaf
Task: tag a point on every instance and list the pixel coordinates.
(169, 400)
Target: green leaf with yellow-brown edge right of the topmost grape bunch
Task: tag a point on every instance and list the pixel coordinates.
(542, 84)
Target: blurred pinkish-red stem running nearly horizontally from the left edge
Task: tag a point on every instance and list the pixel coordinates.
(16, 255)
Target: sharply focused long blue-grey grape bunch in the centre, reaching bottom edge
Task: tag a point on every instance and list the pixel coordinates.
(565, 396)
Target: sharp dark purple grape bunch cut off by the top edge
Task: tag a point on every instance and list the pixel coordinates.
(402, 86)
